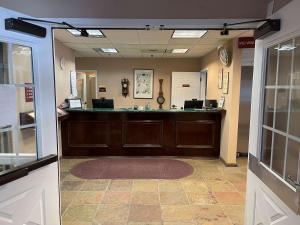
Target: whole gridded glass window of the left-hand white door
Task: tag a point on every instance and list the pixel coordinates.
(18, 133)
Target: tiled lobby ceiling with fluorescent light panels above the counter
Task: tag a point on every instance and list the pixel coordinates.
(144, 43)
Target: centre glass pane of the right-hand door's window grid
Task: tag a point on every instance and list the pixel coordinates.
(282, 105)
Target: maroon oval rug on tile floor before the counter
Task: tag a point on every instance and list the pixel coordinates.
(132, 169)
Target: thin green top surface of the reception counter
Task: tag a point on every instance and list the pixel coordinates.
(144, 111)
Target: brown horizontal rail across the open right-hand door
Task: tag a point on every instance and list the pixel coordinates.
(290, 197)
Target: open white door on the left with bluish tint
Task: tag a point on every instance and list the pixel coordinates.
(28, 132)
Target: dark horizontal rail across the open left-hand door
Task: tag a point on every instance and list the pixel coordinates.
(18, 172)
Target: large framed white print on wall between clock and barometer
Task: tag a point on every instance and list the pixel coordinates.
(143, 83)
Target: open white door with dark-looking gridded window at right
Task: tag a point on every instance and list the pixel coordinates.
(274, 142)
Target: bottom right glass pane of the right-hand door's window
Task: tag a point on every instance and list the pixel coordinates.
(292, 159)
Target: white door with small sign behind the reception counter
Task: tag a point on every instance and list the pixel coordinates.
(185, 86)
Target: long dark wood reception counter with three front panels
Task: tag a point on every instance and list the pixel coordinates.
(125, 132)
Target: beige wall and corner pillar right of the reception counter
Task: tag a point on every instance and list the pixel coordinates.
(230, 120)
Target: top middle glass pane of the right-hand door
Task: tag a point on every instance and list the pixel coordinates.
(285, 62)
